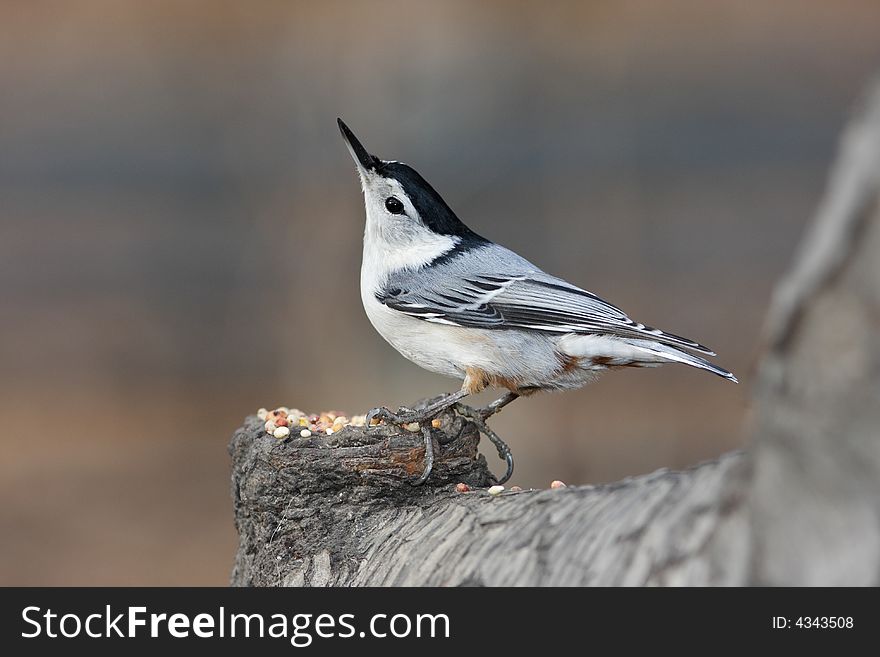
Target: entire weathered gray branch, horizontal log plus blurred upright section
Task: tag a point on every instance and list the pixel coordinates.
(800, 506)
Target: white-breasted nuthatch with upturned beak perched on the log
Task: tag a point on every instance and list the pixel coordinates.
(456, 303)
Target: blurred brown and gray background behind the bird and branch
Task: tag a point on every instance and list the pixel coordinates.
(180, 230)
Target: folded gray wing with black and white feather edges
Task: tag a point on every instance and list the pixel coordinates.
(464, 294)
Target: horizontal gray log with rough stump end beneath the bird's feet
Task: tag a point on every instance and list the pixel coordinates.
(342, 512)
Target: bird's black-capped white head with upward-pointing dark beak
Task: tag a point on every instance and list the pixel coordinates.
(403, 210)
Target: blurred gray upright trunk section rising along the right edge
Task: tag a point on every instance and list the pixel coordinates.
(815, 494)
